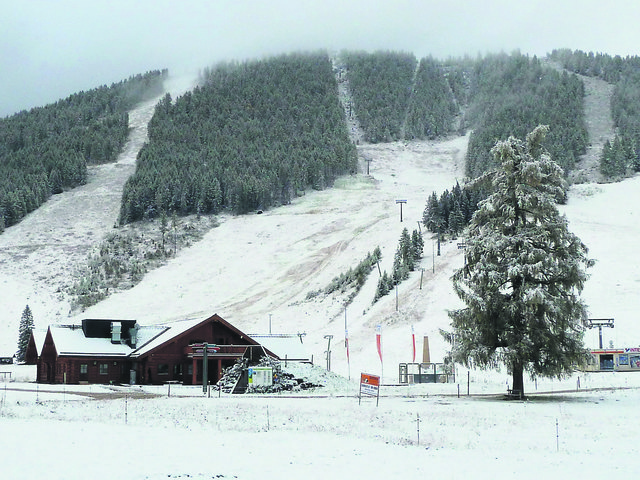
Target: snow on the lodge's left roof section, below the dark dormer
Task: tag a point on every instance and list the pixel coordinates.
(70, 340)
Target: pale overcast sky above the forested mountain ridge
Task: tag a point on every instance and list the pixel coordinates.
(51, 49)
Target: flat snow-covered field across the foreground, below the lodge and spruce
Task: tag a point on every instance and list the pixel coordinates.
(422, 431)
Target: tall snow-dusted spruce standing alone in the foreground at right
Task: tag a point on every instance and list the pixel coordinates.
(524, 272)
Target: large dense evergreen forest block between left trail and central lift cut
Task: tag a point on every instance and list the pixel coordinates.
(252, 135)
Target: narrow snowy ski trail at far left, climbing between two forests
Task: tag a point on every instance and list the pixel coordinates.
(39, 255)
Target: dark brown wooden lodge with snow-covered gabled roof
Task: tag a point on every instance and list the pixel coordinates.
(122, 351)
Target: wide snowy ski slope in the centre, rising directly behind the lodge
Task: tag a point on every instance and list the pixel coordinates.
(254, 266)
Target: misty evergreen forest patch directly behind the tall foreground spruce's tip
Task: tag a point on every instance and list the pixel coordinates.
(509, 95)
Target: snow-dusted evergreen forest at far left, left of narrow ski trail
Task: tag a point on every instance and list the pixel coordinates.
(47, 149)
